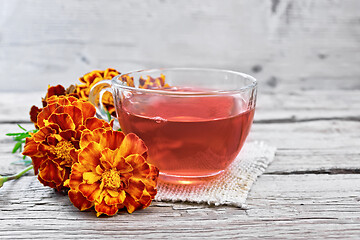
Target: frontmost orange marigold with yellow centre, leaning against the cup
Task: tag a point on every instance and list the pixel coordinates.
(112, 173)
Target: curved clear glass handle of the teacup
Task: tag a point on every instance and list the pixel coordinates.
(98, 90)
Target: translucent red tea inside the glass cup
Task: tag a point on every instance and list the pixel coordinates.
(188, 136)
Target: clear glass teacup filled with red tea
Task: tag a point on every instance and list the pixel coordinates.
(193, 121)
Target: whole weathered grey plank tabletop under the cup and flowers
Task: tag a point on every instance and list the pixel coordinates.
(311, 190)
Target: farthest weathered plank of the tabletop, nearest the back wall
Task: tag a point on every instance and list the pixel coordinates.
(289, 106)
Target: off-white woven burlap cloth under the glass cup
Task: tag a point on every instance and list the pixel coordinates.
(229, 188)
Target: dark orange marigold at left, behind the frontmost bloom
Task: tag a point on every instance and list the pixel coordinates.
(54, 148)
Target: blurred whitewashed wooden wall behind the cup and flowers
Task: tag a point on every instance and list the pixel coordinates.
(48, 42)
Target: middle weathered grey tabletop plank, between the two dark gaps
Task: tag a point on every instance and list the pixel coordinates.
(304, 146)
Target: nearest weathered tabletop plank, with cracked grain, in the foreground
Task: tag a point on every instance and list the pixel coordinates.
(311, 206)
